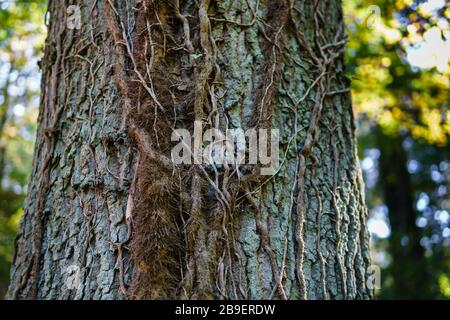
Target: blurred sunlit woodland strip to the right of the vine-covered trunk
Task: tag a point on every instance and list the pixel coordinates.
(399, 62)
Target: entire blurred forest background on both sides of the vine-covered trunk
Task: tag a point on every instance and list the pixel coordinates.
(398, 57)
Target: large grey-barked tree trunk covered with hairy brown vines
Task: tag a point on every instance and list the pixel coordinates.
(109, 216)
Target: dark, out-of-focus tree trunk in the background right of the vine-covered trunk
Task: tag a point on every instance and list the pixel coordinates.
(408, 267)
